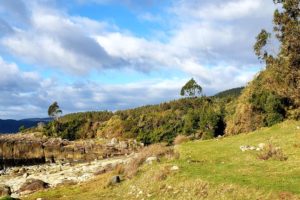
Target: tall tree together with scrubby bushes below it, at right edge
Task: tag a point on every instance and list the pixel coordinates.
(274, 94)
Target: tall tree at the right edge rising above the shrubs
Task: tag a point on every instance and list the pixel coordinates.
(286, 64)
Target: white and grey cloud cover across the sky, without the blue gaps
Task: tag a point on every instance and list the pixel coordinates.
(208, 40)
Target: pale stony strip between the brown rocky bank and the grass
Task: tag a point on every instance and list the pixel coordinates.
(55, 174)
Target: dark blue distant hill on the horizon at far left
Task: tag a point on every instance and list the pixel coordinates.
(12, 126)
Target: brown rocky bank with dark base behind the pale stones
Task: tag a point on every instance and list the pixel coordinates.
(27, 149)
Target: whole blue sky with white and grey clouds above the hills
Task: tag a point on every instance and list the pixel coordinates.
(116, 54)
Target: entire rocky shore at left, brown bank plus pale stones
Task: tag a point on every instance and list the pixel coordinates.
(29, 162)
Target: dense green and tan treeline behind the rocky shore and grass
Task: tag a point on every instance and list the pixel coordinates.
(199, 117)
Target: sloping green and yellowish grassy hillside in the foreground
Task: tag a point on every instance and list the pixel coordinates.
(211, 169)
